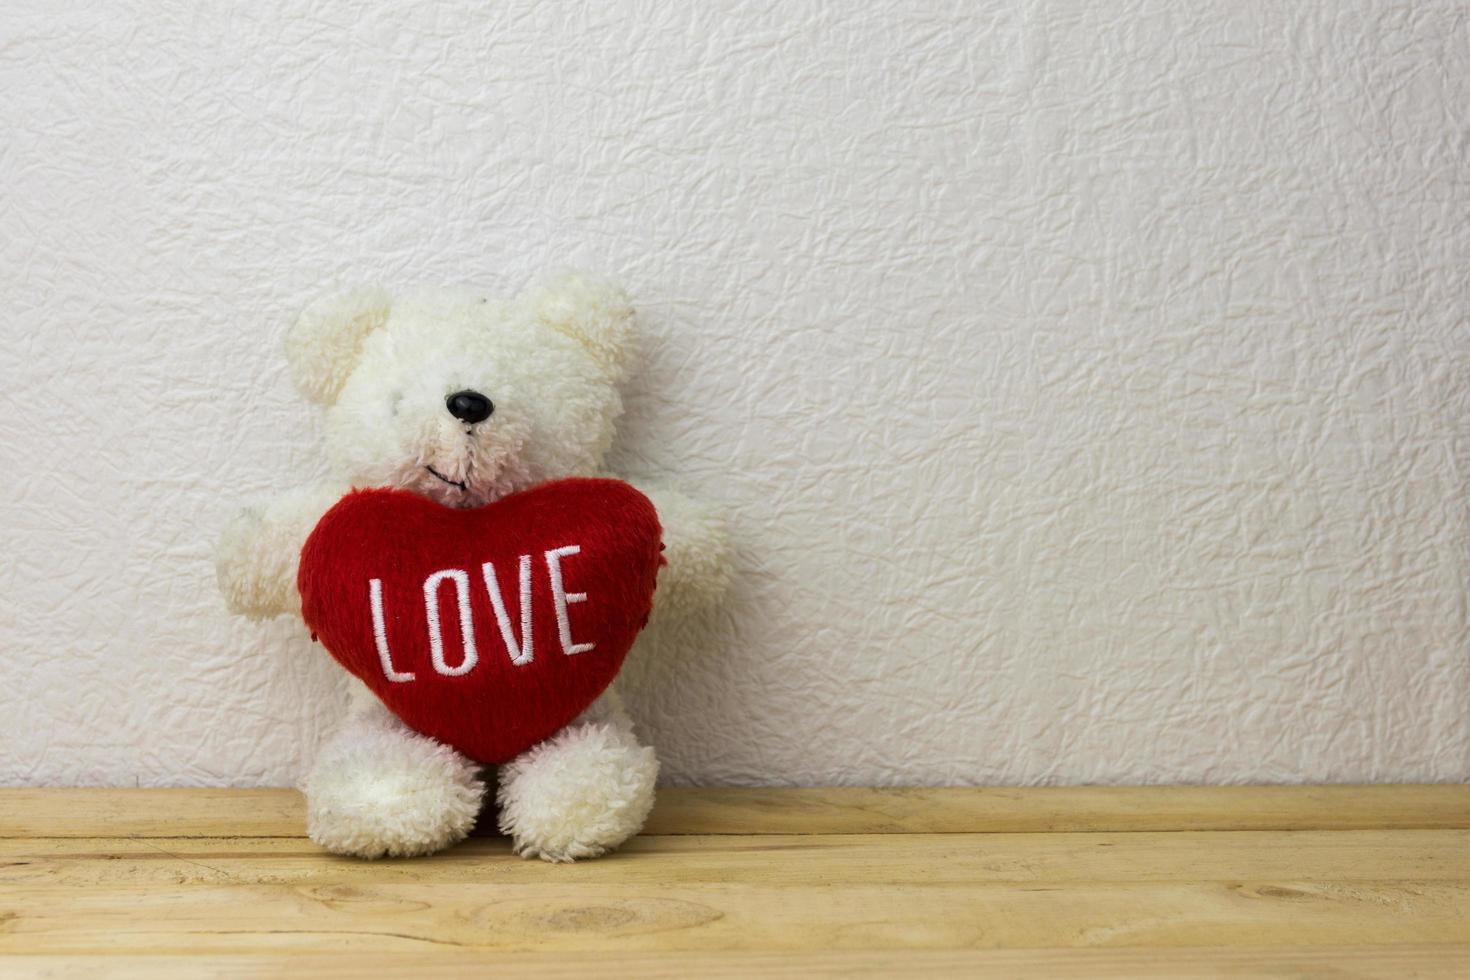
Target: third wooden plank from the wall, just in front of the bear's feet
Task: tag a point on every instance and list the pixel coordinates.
(492, 916)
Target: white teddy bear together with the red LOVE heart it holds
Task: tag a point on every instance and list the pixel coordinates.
(443, 494)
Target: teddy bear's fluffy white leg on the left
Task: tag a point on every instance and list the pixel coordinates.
(381, 790)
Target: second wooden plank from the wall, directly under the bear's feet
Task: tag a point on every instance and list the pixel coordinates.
(1052, 859)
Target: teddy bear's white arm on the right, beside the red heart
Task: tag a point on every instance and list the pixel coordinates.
(696, 547)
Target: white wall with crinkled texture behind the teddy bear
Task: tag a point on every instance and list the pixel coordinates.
(1089, 381)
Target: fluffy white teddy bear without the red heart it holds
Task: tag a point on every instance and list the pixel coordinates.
(467, 400)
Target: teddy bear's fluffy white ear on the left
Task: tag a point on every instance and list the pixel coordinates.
(326, 342)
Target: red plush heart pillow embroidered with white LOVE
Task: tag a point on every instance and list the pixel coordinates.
(487, 630)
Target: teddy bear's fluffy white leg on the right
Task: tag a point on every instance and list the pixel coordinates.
(581, 793)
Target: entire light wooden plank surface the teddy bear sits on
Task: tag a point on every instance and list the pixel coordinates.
(1343, 881)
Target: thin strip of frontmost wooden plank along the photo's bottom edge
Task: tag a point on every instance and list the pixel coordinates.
(1350, 963)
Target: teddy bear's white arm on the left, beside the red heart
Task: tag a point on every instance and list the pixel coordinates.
(259, 552)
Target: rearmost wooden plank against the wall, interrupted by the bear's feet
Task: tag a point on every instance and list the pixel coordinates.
(279, 813)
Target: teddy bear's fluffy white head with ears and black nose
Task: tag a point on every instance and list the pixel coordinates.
(465, 399)
